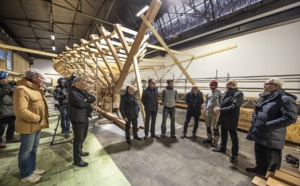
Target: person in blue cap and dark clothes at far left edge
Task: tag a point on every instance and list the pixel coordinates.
(7, 116)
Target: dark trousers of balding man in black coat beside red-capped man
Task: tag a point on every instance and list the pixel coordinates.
(234, 140)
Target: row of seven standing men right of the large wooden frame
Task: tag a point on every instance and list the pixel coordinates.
(273, 112)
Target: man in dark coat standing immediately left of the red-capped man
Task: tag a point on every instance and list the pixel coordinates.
(194, 100)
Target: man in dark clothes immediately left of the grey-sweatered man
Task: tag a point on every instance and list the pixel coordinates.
(150, 102)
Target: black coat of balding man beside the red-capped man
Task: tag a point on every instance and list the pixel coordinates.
(230, 109)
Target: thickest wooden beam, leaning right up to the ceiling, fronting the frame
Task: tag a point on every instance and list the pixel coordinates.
(151, 14)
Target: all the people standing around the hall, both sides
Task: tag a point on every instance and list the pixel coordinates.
(24, 109)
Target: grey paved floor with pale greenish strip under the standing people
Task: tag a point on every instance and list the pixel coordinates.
(156, 162)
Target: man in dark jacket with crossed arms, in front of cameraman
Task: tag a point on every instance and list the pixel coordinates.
(79, 102)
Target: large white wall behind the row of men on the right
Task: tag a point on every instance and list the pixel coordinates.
(275, 51)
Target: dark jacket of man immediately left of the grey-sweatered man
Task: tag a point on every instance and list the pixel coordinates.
(150, 99)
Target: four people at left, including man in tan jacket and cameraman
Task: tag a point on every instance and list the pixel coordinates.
(24, 109)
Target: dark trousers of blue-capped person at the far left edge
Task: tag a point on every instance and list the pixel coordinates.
(10, 121)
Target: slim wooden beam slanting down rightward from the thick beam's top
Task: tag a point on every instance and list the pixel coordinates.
(161, 41)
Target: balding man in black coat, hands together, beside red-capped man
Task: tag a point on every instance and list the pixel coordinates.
(229, 117)
